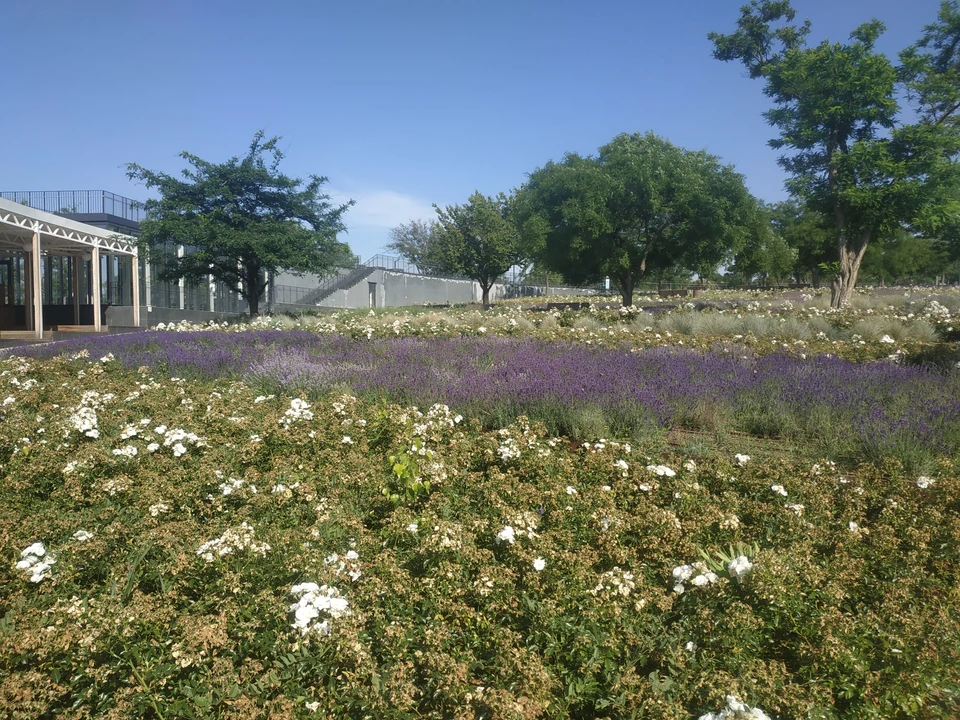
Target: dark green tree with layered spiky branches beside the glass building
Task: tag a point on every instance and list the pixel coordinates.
(240, 220)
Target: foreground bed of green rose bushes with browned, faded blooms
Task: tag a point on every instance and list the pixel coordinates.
(577, 616)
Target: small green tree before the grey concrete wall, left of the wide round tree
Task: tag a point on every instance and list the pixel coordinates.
(478, 239)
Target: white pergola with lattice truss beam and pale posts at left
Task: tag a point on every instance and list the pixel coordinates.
(34, 233)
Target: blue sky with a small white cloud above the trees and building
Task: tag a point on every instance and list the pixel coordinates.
(400, 104)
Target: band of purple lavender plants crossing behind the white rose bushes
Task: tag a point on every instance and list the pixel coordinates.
(870, 411)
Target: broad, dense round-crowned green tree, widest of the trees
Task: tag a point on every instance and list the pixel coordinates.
(641, 206)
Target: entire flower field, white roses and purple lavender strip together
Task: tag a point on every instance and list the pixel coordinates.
(461, 514)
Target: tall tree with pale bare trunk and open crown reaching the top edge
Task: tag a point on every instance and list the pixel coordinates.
(836, 113)
